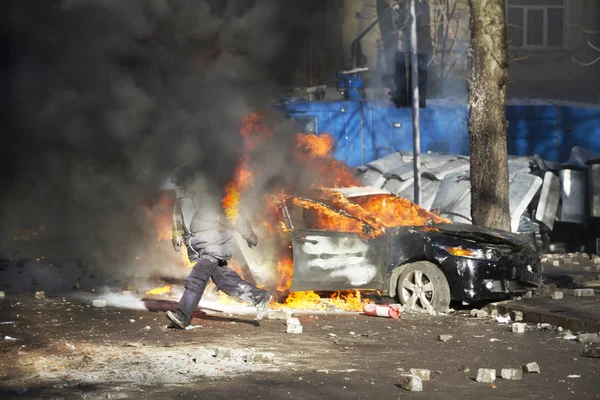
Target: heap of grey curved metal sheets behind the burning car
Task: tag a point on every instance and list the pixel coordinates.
(540, 192)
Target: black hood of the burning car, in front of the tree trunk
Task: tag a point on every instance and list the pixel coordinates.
(481, 235)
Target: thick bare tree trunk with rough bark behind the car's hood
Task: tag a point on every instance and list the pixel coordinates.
(488, 74)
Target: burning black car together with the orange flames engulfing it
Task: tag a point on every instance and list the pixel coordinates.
(354, 238)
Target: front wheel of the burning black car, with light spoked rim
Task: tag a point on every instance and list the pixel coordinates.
(423, 287)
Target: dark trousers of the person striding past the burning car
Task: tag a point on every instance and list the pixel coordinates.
(226, 280)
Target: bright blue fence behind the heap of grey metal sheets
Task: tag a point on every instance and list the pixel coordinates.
(365, 131)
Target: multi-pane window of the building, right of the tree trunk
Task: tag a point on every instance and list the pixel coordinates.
(536, 24)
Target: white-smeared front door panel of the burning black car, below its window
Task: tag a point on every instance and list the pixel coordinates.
(326, 260)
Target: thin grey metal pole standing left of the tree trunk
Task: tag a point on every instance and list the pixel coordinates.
(414, 70)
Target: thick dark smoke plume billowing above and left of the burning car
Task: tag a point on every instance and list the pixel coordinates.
(107, 97)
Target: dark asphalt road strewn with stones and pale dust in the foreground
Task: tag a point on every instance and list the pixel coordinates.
(66, 349)
